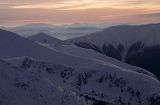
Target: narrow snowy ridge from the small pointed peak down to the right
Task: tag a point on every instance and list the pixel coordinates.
(73, 50)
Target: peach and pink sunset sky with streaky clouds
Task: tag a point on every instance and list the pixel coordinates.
(16, 12)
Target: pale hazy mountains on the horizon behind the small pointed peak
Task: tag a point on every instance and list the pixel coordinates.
(61, 32)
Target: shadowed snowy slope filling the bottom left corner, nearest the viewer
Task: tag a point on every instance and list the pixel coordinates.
(27, 88)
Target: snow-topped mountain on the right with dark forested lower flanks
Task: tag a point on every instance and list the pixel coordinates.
(136, 45)
